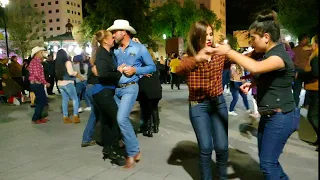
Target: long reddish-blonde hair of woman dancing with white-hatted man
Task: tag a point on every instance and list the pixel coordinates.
(96, 41)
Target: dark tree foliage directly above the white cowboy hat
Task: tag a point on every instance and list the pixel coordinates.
(102, 14)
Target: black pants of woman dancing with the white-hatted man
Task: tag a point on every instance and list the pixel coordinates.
(107, 109)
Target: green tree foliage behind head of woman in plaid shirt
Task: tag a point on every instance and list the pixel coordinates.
(175, 20)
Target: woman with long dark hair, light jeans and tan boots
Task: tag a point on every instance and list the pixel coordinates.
(66, 77)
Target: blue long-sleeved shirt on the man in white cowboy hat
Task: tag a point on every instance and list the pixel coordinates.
(136, 55)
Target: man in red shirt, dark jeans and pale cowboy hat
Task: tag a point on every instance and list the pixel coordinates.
(37, 83)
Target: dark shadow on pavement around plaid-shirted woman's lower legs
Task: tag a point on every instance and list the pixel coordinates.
(186, 154)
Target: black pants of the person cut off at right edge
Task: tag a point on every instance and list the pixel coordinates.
(313, 111)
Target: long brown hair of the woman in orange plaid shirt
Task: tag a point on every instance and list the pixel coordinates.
(197, 37)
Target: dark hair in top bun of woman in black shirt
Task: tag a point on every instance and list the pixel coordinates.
(266, 22)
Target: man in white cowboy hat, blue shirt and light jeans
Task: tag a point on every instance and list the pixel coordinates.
(138, 62)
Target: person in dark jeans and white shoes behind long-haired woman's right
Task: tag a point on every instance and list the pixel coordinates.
(82, 69)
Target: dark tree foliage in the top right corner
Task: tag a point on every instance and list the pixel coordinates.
(299, 16)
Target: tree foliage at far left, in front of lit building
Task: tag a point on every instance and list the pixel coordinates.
(24, 25)
